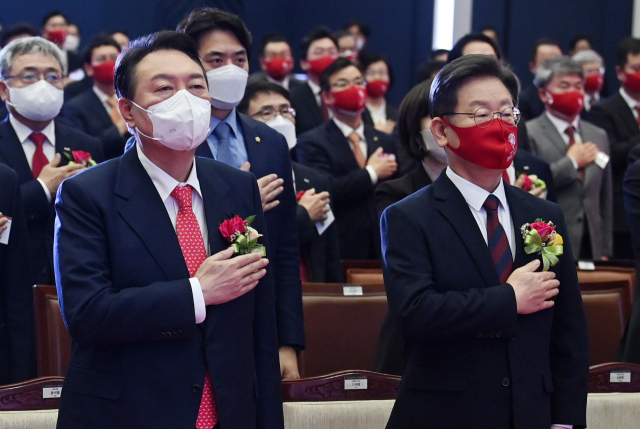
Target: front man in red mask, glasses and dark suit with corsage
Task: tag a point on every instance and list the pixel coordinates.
(490, 341)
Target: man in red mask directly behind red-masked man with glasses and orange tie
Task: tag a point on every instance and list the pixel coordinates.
(317, 51)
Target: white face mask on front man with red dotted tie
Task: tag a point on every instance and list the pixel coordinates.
(180, 122)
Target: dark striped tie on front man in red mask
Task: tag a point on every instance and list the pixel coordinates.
(497, 240)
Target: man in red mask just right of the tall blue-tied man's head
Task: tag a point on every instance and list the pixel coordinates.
(276, 62)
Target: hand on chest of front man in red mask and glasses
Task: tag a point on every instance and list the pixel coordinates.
(533, 290)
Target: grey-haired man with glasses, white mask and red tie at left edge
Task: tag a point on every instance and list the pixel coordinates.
(34, 143)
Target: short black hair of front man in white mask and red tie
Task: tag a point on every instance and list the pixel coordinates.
(124, 79)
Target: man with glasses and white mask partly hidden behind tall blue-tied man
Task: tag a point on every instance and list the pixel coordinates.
(319, 249)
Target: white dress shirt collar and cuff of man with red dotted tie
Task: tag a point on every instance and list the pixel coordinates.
(165, 184)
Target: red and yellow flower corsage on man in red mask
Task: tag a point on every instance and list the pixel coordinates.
(541, 237)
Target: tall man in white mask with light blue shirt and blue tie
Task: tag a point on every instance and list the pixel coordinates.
(224, 44)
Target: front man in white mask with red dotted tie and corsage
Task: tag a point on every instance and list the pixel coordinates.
(172, 325)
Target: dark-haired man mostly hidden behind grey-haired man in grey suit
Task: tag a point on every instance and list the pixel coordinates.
(530, 104)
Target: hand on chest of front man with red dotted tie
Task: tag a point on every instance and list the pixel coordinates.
(223, 279)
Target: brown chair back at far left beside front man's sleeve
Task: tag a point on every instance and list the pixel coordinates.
(53, 343)
